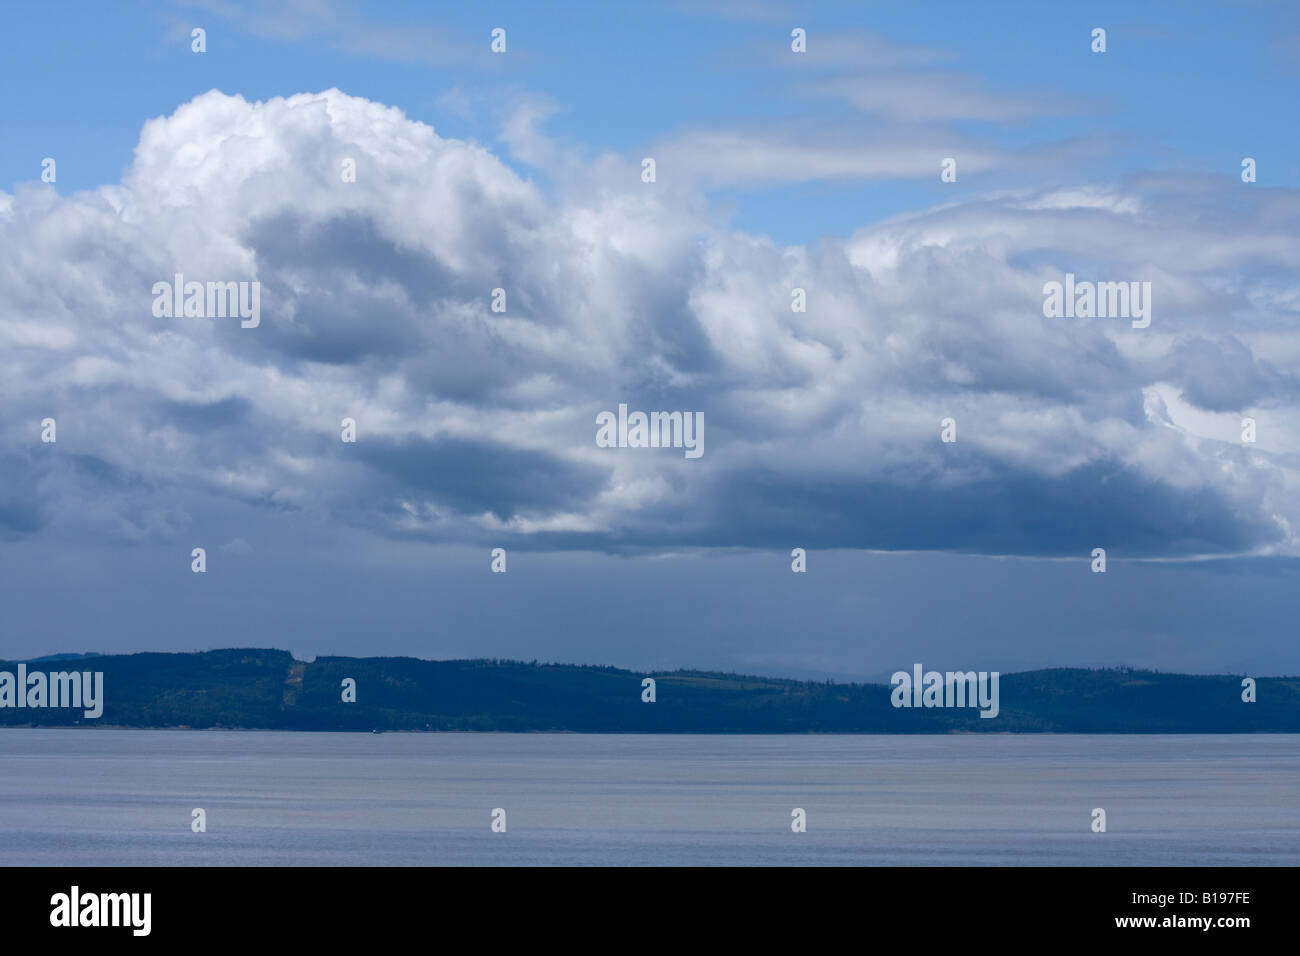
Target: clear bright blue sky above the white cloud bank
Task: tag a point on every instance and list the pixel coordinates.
(1193, 86)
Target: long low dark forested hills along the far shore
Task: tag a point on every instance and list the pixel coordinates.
(255, 689)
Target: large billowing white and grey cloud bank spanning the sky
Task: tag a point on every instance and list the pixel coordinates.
(825, 425)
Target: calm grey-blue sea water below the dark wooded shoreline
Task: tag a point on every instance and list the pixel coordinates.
(125, 798)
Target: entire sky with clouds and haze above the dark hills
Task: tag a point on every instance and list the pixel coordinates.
(775, 171)
